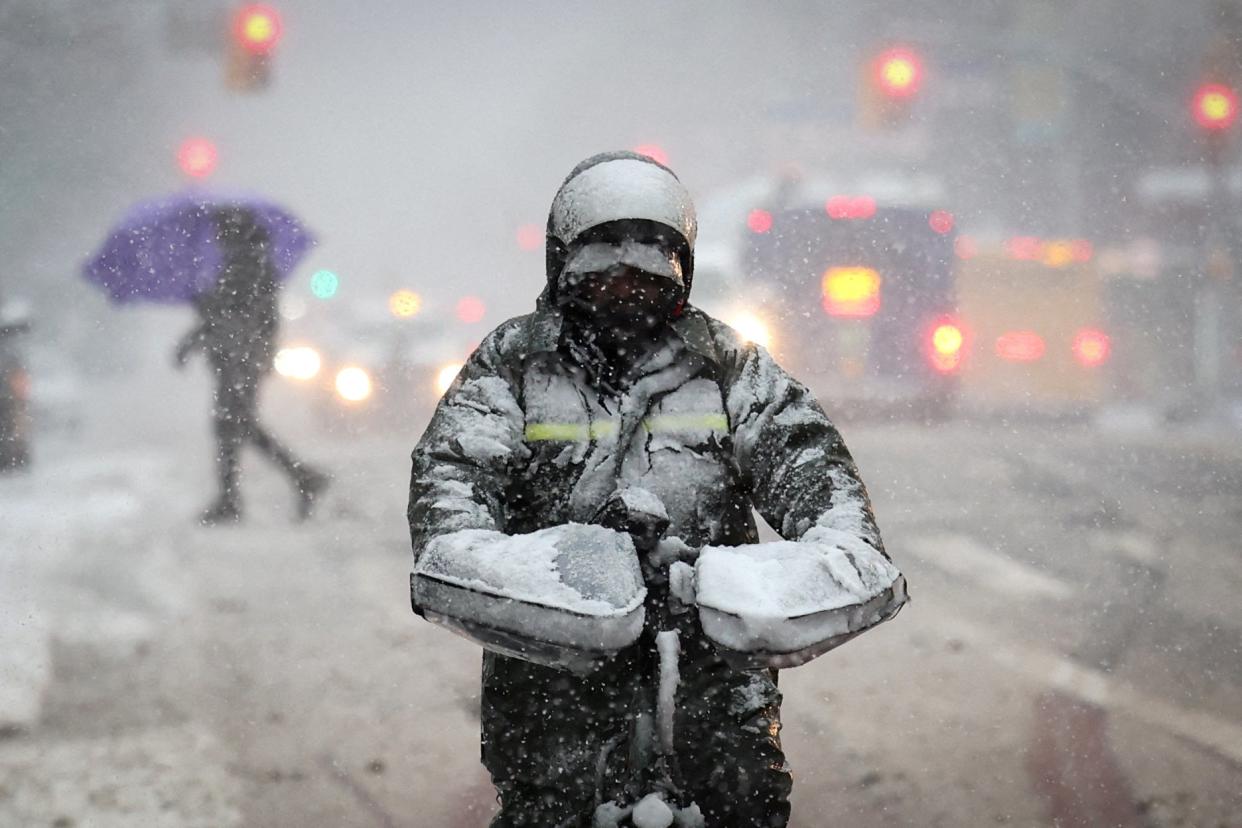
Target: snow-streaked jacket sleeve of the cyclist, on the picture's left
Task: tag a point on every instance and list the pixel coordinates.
(465, 460)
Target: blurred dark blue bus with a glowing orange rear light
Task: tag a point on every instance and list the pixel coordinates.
(860, 297)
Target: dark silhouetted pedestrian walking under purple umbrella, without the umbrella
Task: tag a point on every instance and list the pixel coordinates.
(238, 326)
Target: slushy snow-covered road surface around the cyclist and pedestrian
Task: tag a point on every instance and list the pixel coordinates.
(1072, 654)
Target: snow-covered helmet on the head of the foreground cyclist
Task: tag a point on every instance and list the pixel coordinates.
(622, 188)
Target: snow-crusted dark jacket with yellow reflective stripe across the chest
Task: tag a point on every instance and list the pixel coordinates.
(709, 424)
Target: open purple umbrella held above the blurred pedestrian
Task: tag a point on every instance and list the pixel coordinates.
(166, 250)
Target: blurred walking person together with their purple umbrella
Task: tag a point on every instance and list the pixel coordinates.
(227, 259)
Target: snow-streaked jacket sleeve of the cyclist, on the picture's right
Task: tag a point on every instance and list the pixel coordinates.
(802, 475)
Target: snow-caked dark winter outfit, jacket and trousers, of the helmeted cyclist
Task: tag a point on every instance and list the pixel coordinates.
(714, 428)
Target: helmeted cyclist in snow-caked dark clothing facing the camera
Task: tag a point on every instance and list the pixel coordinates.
(618, 383)
